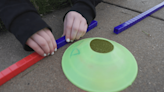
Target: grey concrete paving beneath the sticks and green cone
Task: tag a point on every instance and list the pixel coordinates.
(48, 75)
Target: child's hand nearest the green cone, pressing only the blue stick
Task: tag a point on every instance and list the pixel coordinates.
(75, 26)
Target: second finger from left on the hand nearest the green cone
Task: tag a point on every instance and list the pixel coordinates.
(75, 28)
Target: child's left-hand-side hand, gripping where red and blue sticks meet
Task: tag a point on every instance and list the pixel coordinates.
(43, 42)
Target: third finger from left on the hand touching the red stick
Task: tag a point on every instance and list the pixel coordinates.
(43, 34)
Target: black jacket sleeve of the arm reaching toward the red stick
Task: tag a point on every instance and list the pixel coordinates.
(21, 18)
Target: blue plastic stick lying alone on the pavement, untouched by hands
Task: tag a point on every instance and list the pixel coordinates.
(136, 19)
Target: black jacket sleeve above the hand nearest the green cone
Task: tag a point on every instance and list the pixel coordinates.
(86, 8)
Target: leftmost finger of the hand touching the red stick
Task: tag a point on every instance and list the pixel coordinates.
(35, 47)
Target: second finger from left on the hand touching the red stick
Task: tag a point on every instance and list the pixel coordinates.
(41, 42)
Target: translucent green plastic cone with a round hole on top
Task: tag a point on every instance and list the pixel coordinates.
(99, 65)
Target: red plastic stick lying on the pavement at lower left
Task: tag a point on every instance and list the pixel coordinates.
(19, 67)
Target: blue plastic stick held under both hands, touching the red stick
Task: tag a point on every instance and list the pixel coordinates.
(61, 41)
